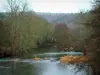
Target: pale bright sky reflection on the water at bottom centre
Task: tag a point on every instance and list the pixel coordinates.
(61, 69)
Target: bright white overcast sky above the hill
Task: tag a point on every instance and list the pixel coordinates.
(55, 6)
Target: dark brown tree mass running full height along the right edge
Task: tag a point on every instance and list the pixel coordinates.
(93, 41)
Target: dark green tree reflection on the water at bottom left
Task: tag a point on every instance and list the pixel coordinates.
(14, 68)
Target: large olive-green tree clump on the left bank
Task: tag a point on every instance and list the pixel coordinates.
(21, 30)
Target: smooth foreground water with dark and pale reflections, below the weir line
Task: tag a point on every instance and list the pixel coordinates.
(40, 68)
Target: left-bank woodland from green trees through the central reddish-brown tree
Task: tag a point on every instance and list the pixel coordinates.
(23, 32)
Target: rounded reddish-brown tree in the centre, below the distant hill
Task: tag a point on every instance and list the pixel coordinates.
(63, 36)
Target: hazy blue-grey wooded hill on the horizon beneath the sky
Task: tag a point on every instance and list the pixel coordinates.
(54, 18)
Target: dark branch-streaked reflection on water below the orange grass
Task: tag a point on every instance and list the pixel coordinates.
(75, 69)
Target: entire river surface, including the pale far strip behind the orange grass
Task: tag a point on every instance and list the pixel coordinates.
(52, 66)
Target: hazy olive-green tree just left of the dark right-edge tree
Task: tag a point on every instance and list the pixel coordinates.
(81, 31)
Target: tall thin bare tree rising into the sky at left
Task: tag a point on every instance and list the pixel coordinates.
(16, 10)
